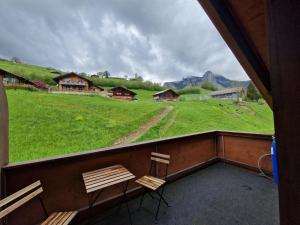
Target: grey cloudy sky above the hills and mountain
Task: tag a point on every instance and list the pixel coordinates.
(163, 40)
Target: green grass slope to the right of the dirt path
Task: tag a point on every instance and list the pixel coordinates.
(213, 114)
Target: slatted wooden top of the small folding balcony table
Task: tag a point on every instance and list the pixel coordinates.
(102, 178)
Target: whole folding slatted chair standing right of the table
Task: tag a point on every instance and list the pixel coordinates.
(154, 183)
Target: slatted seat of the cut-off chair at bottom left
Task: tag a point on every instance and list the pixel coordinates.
(60, 218)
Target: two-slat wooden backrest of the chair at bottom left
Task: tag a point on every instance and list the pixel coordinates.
(19, 198)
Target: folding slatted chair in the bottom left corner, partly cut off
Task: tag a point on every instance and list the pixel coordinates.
(14, 201)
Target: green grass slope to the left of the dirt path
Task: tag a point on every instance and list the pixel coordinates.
(45, 125)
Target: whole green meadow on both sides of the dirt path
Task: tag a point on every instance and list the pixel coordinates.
(44, 125)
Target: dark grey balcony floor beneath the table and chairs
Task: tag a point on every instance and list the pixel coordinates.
(218, 195)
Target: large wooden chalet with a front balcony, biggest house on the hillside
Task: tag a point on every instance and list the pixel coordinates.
(74, 82)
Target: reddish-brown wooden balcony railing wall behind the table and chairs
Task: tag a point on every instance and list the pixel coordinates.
(64, 188)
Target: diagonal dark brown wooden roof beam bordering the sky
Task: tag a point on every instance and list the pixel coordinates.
(233, 34)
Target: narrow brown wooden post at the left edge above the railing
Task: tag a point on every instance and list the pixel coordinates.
(3, 129)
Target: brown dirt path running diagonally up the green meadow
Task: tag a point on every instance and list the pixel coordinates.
(144, 128)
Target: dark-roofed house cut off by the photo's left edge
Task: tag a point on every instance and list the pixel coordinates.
(10, 79)
